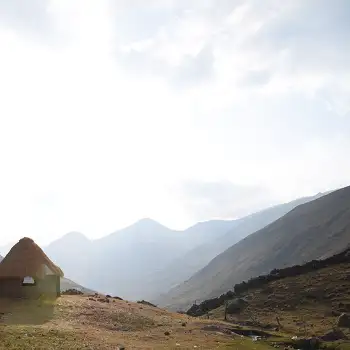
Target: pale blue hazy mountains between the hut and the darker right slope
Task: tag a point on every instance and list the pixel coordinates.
(147, 259)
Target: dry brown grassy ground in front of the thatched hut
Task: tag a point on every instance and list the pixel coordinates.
(80, 322)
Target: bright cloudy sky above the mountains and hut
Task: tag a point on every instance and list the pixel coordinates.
(181, 111)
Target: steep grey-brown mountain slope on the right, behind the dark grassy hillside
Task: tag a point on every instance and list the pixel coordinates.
(310, 231)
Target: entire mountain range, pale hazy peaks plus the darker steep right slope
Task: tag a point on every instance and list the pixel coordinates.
(173, 268)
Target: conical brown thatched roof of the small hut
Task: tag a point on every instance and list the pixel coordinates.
(27, 259)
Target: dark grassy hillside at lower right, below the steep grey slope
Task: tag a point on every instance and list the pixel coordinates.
(307, 303)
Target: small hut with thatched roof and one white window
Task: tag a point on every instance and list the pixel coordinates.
(27, 272)
